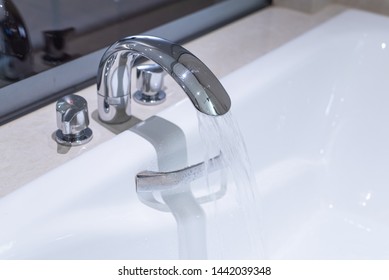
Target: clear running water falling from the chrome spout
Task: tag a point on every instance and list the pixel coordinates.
(242, 225)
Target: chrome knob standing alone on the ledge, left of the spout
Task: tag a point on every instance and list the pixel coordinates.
(72, 121)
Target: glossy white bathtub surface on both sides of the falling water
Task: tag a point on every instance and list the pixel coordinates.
(314, 115)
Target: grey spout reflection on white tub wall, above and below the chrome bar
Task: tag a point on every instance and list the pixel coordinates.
(190, 218)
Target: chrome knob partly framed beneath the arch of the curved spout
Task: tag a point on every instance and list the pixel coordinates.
(149, 81)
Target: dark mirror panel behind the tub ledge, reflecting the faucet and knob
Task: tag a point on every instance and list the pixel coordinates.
(37, 35)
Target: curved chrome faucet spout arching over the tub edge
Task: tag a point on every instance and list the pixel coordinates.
(114, 76)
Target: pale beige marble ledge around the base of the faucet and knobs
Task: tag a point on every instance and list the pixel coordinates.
(27, 147)
